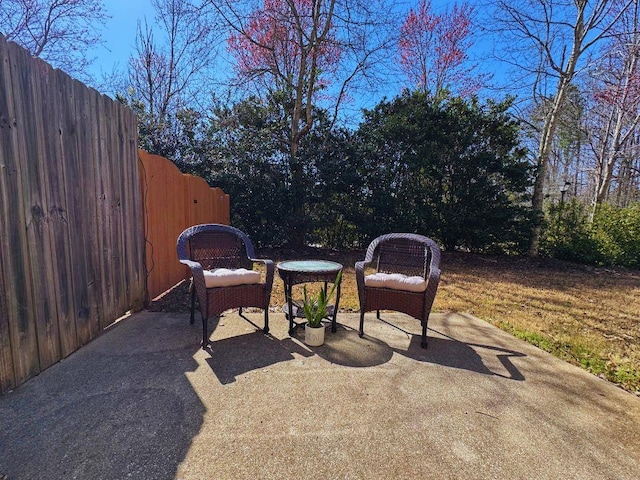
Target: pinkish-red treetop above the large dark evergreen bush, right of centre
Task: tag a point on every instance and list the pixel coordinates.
(433, 50)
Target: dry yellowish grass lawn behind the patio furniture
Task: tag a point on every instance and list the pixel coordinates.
(587, 316)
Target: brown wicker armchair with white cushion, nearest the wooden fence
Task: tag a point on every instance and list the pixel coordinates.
(211, 246)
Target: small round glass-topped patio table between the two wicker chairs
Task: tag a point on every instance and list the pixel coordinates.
(294, 272)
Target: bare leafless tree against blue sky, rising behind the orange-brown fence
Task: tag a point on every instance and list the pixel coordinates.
(168, 80)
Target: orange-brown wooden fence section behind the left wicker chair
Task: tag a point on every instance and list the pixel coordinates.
(172, 202)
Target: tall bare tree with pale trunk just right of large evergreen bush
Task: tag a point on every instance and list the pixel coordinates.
(549, 40)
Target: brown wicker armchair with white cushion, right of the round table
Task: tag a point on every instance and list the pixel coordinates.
(417, 259)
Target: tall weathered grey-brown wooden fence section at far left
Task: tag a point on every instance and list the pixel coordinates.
(71, 230)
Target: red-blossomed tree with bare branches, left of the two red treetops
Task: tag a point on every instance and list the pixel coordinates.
(288, 46)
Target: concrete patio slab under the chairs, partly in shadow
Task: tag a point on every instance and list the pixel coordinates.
(143, 401)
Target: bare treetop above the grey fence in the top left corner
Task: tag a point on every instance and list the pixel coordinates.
(58, 31)
